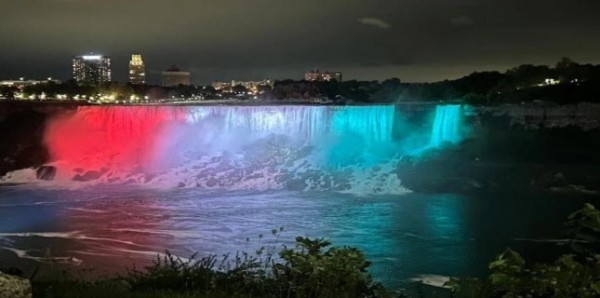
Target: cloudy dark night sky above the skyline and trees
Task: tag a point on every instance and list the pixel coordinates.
(414, 40)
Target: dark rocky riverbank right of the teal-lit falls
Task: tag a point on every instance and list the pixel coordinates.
(505, 157)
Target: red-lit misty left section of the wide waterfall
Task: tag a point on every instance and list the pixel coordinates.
(100, 136)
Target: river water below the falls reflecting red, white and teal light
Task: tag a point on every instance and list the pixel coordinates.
(110, 229)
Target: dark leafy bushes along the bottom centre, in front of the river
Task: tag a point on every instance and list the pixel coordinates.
(312, 269)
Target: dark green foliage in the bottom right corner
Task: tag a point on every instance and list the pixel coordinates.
(571, 275)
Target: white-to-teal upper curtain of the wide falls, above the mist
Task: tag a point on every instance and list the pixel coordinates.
(308, 122)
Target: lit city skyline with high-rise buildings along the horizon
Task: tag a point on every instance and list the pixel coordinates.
(96, 70)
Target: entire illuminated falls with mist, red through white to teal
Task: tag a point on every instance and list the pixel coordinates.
(340, 148)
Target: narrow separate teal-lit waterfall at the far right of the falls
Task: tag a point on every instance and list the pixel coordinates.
(446, 125)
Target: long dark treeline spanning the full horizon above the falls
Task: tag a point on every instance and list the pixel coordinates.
(566, 82)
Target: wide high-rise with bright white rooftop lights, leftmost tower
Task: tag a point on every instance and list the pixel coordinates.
(93, 69)
